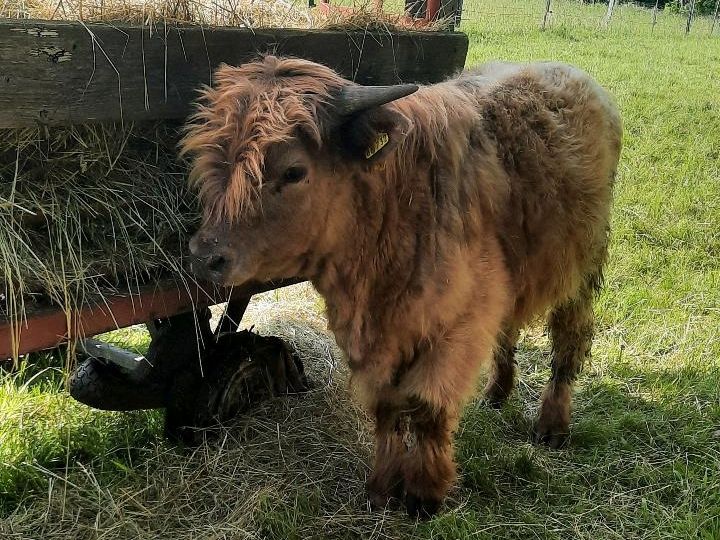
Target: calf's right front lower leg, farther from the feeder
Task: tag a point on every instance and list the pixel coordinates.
(429, 469)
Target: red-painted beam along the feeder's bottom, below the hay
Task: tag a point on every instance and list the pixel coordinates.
(54, 327)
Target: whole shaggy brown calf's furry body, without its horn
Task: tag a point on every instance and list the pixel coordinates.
(488, 207)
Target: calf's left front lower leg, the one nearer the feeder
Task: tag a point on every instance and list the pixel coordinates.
(385, 485)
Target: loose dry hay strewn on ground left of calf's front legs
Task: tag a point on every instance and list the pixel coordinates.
(293, 467)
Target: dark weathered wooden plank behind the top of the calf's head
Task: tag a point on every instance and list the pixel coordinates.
(58, 73)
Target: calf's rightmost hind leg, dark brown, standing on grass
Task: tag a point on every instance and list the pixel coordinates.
(571, 330)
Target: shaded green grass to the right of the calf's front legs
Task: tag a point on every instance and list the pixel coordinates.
(642, 461)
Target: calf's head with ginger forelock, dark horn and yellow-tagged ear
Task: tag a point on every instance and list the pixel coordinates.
(277, 145)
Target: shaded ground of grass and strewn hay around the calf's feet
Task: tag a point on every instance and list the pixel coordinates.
(642, 462)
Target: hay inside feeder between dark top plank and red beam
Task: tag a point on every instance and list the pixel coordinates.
(86, 211)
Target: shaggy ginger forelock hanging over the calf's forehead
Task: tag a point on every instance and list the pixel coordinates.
(249, 109)
